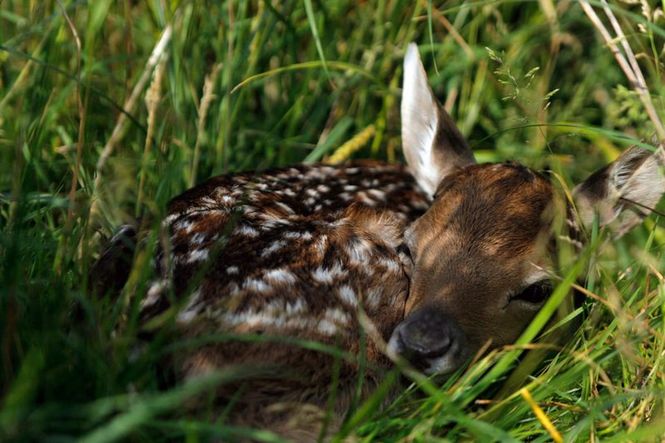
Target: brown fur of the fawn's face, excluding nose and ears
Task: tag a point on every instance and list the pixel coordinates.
(493, 222)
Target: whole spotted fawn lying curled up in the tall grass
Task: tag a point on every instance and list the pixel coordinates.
(442, 256)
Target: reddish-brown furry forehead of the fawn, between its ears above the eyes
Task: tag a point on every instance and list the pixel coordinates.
(497, 210)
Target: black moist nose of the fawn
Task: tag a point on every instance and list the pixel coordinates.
(427, 334)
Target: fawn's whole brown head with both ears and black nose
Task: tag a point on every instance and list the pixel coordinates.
(481, 253)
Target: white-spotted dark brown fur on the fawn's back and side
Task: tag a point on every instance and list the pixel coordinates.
(233, 240)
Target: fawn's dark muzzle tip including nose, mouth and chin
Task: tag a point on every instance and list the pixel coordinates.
(429, 340)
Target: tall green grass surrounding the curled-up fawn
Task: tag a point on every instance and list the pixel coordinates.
(250, 84)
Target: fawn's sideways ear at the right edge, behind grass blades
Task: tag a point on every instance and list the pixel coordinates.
(623, 192)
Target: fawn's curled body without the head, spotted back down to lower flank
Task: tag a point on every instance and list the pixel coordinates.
(292, 252)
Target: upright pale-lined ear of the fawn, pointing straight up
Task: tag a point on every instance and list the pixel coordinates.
(432, 144)
